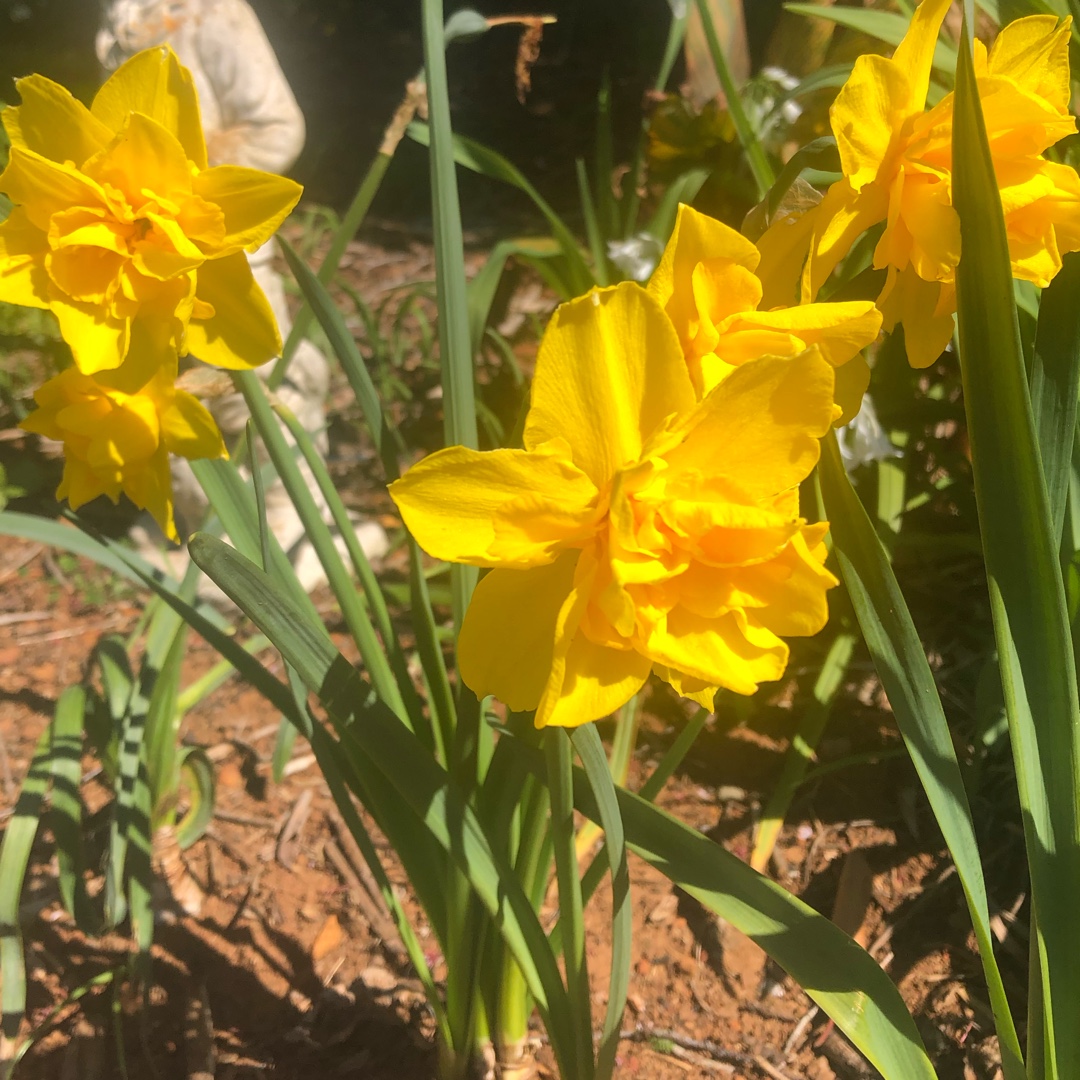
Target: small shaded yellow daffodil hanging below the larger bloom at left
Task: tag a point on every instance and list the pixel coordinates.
(118, 443)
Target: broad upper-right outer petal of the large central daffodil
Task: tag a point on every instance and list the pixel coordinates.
(760, 428)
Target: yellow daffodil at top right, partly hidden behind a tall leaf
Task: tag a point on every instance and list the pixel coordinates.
(898, 158)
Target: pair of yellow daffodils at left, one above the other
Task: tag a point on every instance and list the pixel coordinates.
(138, 248)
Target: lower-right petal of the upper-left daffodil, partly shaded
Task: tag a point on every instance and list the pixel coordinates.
(244, 332)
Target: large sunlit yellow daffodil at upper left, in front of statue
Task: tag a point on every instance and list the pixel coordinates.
(126, 235)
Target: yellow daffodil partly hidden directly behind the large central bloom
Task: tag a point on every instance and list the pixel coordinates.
(707, 283)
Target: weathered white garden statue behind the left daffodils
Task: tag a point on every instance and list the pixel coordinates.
(250, 118)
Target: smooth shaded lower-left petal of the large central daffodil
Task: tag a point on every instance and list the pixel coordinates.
(508, 637)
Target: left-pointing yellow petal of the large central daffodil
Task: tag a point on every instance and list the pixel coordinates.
(501, 508)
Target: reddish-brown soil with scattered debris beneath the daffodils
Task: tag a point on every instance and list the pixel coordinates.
(298, 984)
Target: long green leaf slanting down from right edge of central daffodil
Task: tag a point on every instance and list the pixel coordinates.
(906, 674)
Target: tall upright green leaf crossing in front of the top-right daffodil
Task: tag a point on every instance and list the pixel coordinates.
(1028, 599)
